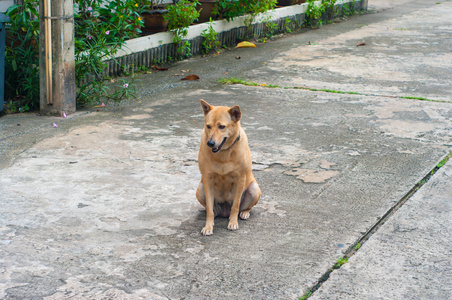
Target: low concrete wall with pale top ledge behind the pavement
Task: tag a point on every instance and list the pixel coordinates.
(159, 48)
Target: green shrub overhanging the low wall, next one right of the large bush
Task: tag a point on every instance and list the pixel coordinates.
(179, 17)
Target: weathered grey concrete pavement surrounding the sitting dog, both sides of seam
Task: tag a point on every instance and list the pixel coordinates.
(104, 205)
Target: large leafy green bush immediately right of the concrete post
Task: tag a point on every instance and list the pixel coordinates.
(97, 41)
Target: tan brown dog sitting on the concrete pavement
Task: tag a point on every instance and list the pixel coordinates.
(227, 185)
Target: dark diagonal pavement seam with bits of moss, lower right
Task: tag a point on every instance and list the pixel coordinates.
(366, 236)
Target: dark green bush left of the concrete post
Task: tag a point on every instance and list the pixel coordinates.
(22, 57)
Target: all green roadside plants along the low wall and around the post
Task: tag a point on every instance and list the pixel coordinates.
(102, 28)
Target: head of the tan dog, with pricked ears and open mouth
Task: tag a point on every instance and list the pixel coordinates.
(222, 125)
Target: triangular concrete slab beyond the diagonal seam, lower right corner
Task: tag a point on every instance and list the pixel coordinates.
(409, 257)
